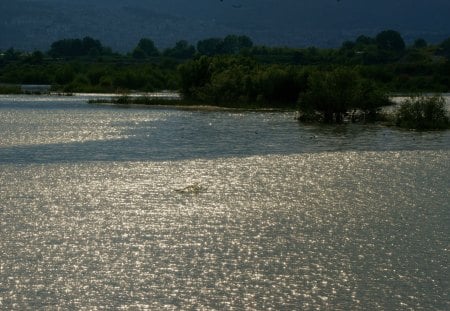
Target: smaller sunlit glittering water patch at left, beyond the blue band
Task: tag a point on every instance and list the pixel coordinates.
(46, 127)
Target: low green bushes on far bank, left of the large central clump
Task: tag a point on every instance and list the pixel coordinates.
(92, 77)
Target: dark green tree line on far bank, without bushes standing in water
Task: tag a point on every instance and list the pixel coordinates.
(231, 69)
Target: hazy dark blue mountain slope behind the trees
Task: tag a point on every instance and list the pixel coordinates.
(35, 24)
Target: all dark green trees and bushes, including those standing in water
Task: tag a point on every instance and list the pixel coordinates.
(329, 85)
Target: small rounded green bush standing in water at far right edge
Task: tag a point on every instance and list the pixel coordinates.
(423, 113)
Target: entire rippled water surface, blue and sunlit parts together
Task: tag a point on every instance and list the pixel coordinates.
(112, 208)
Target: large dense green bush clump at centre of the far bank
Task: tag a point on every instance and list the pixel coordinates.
(238, 80)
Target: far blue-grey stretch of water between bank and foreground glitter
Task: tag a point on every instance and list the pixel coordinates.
(72, 131)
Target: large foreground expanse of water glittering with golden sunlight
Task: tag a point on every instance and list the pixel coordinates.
(264, 232)
